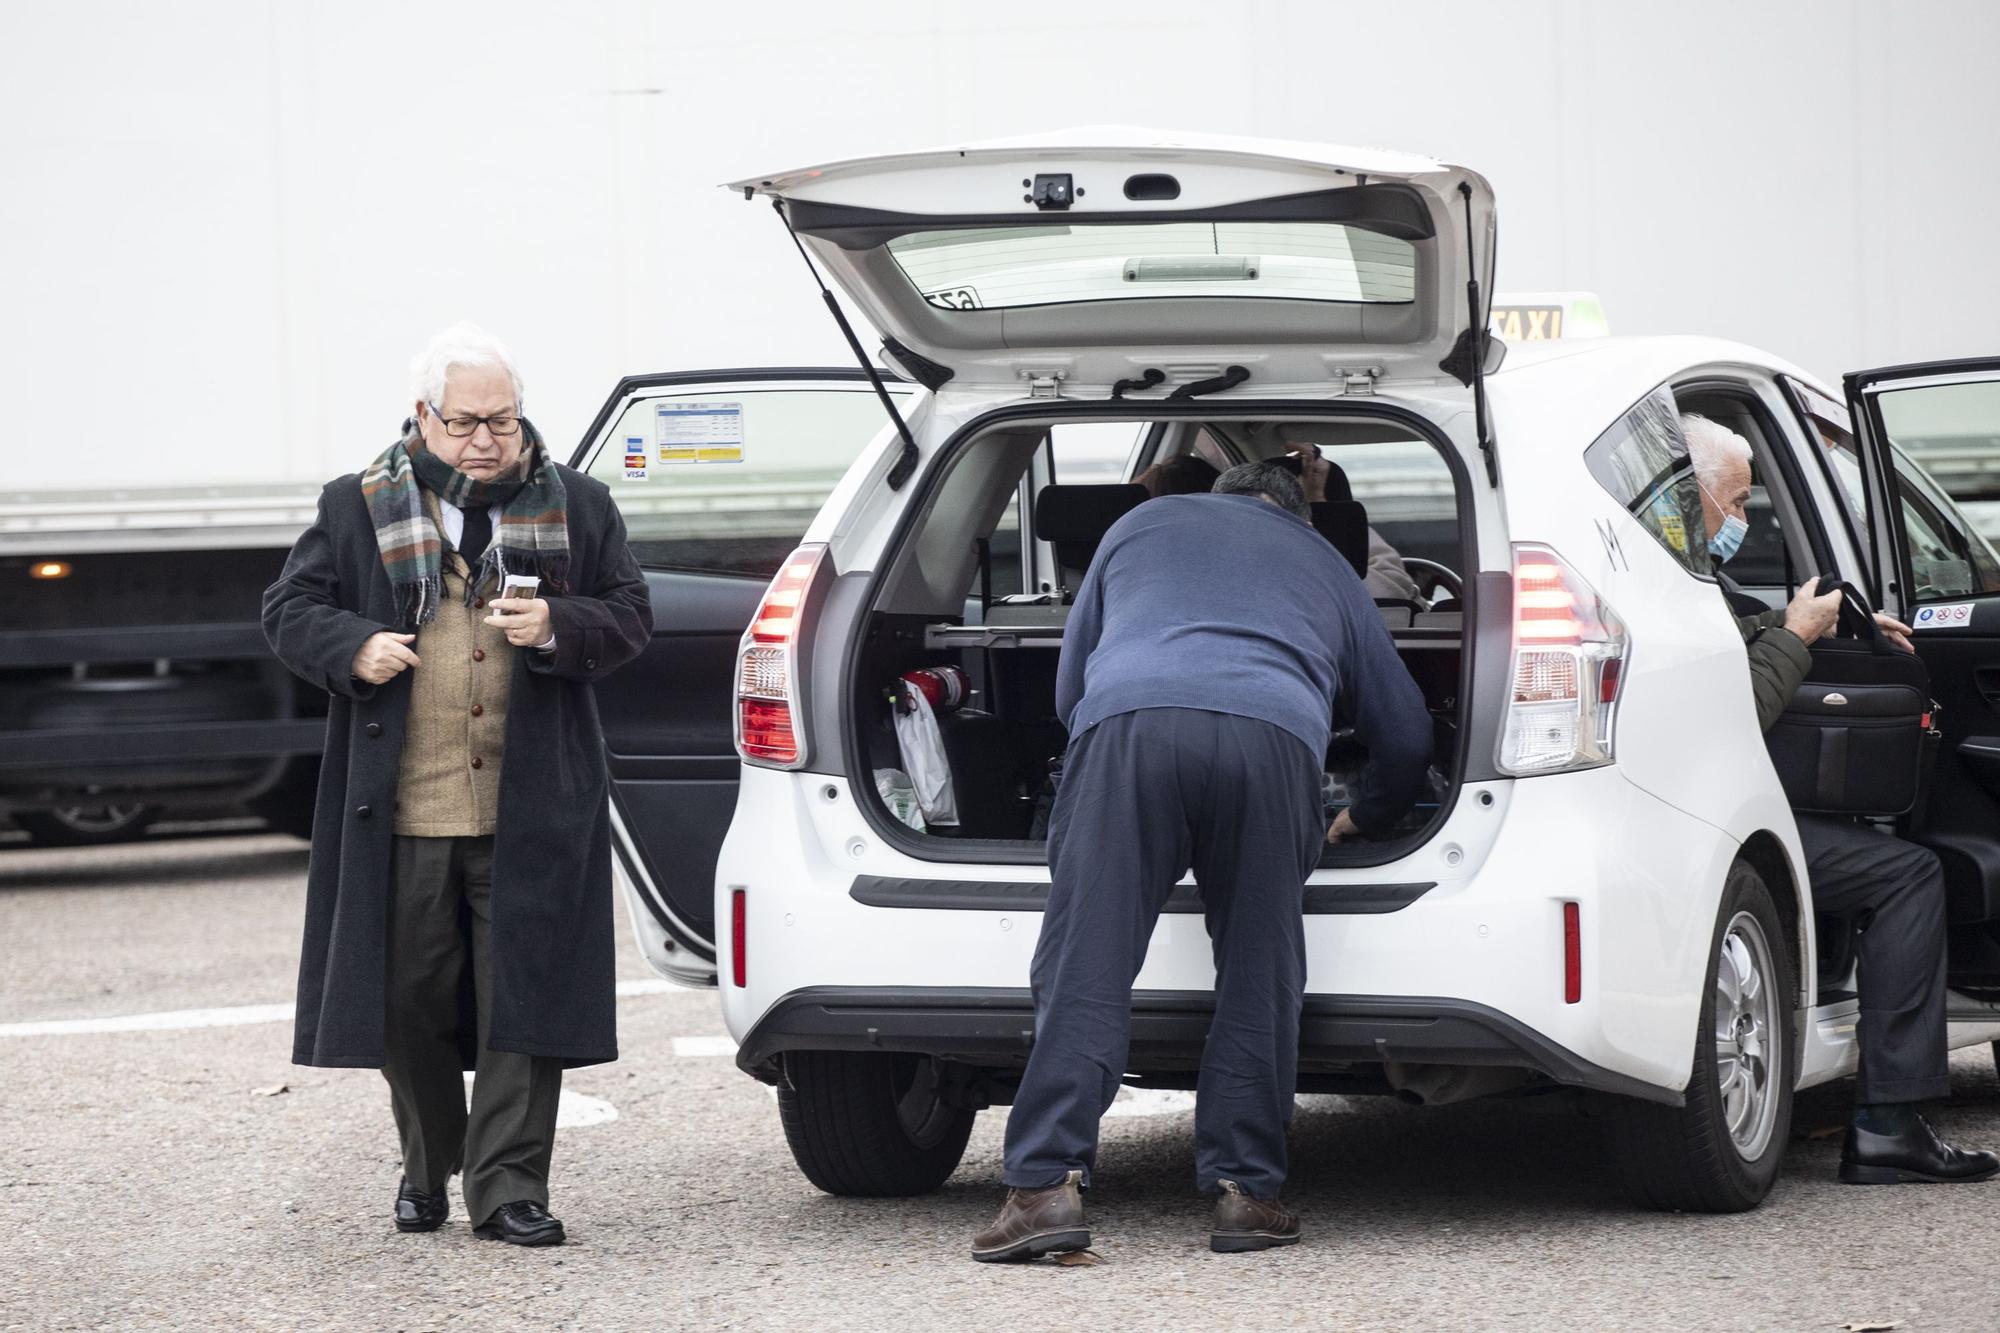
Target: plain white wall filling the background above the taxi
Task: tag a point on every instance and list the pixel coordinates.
(225, 225)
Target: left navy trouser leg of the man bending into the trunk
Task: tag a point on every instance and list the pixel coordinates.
(1117, 844)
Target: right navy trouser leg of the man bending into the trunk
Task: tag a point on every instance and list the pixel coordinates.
(1257, 840)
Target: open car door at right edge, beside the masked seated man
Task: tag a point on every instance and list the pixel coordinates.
(1943, 577)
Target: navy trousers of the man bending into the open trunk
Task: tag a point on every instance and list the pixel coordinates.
(1145, 798)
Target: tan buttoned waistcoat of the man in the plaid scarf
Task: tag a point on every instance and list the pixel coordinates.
(449, 786)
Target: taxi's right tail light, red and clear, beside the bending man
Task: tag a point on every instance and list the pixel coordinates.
(1569, 668)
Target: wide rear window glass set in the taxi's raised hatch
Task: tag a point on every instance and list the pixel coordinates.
(1001, 267)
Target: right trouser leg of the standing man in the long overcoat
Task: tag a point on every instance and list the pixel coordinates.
(511, 1132)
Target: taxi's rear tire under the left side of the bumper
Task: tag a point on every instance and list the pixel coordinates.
(869, 1124)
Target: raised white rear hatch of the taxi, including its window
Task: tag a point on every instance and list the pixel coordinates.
(1089, 257)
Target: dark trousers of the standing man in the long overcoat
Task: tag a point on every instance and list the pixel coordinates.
(507, 1140)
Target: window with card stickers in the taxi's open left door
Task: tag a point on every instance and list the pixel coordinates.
(727, 479)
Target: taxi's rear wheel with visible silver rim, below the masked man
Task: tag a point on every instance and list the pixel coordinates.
(1697, 1158)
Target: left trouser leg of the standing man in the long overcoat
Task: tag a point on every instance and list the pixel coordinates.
(421, 1024)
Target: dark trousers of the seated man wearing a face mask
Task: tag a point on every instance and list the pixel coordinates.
(1895, 892)
